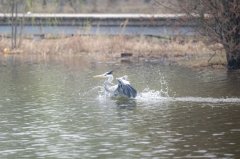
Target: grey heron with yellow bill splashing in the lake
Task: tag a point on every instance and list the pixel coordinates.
(122, 88)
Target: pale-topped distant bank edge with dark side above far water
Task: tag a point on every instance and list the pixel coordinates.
(137, 20)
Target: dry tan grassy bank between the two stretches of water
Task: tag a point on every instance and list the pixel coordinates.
(190, 52)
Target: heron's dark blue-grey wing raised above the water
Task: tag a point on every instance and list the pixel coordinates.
(125, 89)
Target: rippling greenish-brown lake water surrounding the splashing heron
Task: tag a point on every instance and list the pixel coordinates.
(51, 107)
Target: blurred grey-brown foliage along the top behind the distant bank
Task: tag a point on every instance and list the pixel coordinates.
(90, 6)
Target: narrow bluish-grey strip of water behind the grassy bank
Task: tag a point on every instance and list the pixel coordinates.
(102, 30)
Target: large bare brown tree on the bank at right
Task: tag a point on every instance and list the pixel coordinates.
(219, 20)
